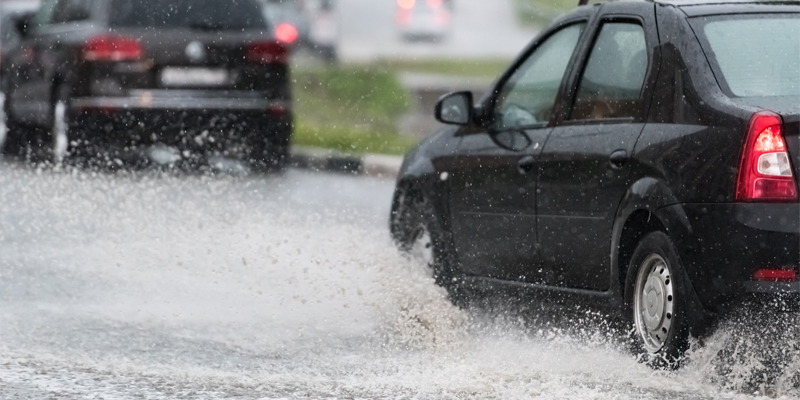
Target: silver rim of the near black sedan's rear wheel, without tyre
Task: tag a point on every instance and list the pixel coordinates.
(654, 302)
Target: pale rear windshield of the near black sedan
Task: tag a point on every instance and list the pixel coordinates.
(756, 56)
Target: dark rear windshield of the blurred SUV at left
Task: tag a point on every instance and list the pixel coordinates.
(195, 14)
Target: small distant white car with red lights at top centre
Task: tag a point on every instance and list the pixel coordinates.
(423, 19)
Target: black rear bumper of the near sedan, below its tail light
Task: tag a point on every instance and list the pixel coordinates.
(722, 245)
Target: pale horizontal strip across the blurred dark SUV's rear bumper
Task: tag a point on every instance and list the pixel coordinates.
(182, 100)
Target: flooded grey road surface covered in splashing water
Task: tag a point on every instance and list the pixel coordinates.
(162, 286)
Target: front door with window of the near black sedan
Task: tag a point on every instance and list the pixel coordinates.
(493, 188)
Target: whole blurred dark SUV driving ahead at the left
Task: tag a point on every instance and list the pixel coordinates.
(105, 79)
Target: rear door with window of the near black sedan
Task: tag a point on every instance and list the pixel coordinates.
(585, 162)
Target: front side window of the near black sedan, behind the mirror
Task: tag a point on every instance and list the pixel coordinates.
(528, 97)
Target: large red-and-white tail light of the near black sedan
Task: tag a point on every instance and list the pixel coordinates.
(765, 171)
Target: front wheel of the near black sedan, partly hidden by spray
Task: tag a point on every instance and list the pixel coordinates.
(419, 235)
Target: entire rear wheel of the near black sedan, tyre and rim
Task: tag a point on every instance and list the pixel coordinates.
(659, 302)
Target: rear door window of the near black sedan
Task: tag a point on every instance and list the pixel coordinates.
(612, 81)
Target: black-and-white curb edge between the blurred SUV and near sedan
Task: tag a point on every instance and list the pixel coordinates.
(375, 165)
